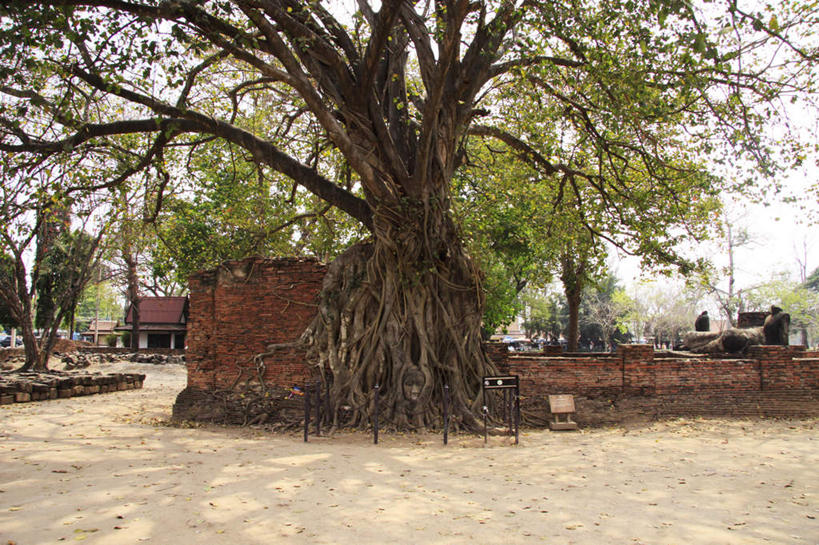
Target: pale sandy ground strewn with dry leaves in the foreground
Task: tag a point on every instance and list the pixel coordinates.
(108, 469)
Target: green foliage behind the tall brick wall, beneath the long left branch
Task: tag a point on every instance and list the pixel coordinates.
(231, 209)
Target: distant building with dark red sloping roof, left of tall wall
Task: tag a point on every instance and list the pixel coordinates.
(162, 322)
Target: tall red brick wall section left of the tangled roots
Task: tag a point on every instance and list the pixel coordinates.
(236, 312)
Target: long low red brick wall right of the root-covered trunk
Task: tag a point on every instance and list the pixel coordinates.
(633, 384)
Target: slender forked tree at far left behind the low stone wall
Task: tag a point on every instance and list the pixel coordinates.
(63, 258)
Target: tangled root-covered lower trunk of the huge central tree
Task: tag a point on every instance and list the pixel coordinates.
(403, 313)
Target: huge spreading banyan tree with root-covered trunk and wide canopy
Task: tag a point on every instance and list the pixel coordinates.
(394, 92)
